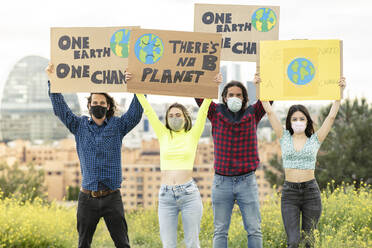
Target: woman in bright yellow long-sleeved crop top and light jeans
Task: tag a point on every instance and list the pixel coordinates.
(178, 141)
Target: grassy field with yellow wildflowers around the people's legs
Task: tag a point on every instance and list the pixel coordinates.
(346, 221)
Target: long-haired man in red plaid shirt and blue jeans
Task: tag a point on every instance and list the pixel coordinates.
(234, 126)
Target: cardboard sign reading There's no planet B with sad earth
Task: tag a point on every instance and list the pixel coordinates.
(174, 63)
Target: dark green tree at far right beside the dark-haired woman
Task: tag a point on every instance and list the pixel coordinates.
(346, 153)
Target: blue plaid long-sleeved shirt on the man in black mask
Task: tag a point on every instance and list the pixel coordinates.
(98, 147)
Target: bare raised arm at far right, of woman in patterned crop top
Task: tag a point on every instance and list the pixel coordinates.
(328, 122)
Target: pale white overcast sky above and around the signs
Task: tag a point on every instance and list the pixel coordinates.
(25, 27)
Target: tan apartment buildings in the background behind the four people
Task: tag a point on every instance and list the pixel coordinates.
(140, 168)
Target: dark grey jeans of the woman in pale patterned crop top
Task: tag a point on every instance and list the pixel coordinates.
(300, 198)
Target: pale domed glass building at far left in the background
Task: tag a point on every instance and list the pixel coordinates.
(25, 108)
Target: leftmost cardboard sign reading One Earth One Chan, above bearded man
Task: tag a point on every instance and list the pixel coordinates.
(89, 59)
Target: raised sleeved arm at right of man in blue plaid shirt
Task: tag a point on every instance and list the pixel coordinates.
(132, 117)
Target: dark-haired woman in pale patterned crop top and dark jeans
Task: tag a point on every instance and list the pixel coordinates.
(299, 145)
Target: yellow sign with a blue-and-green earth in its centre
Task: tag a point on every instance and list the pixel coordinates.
(300, 69)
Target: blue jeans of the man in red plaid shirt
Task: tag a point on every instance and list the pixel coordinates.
(243, 190)
